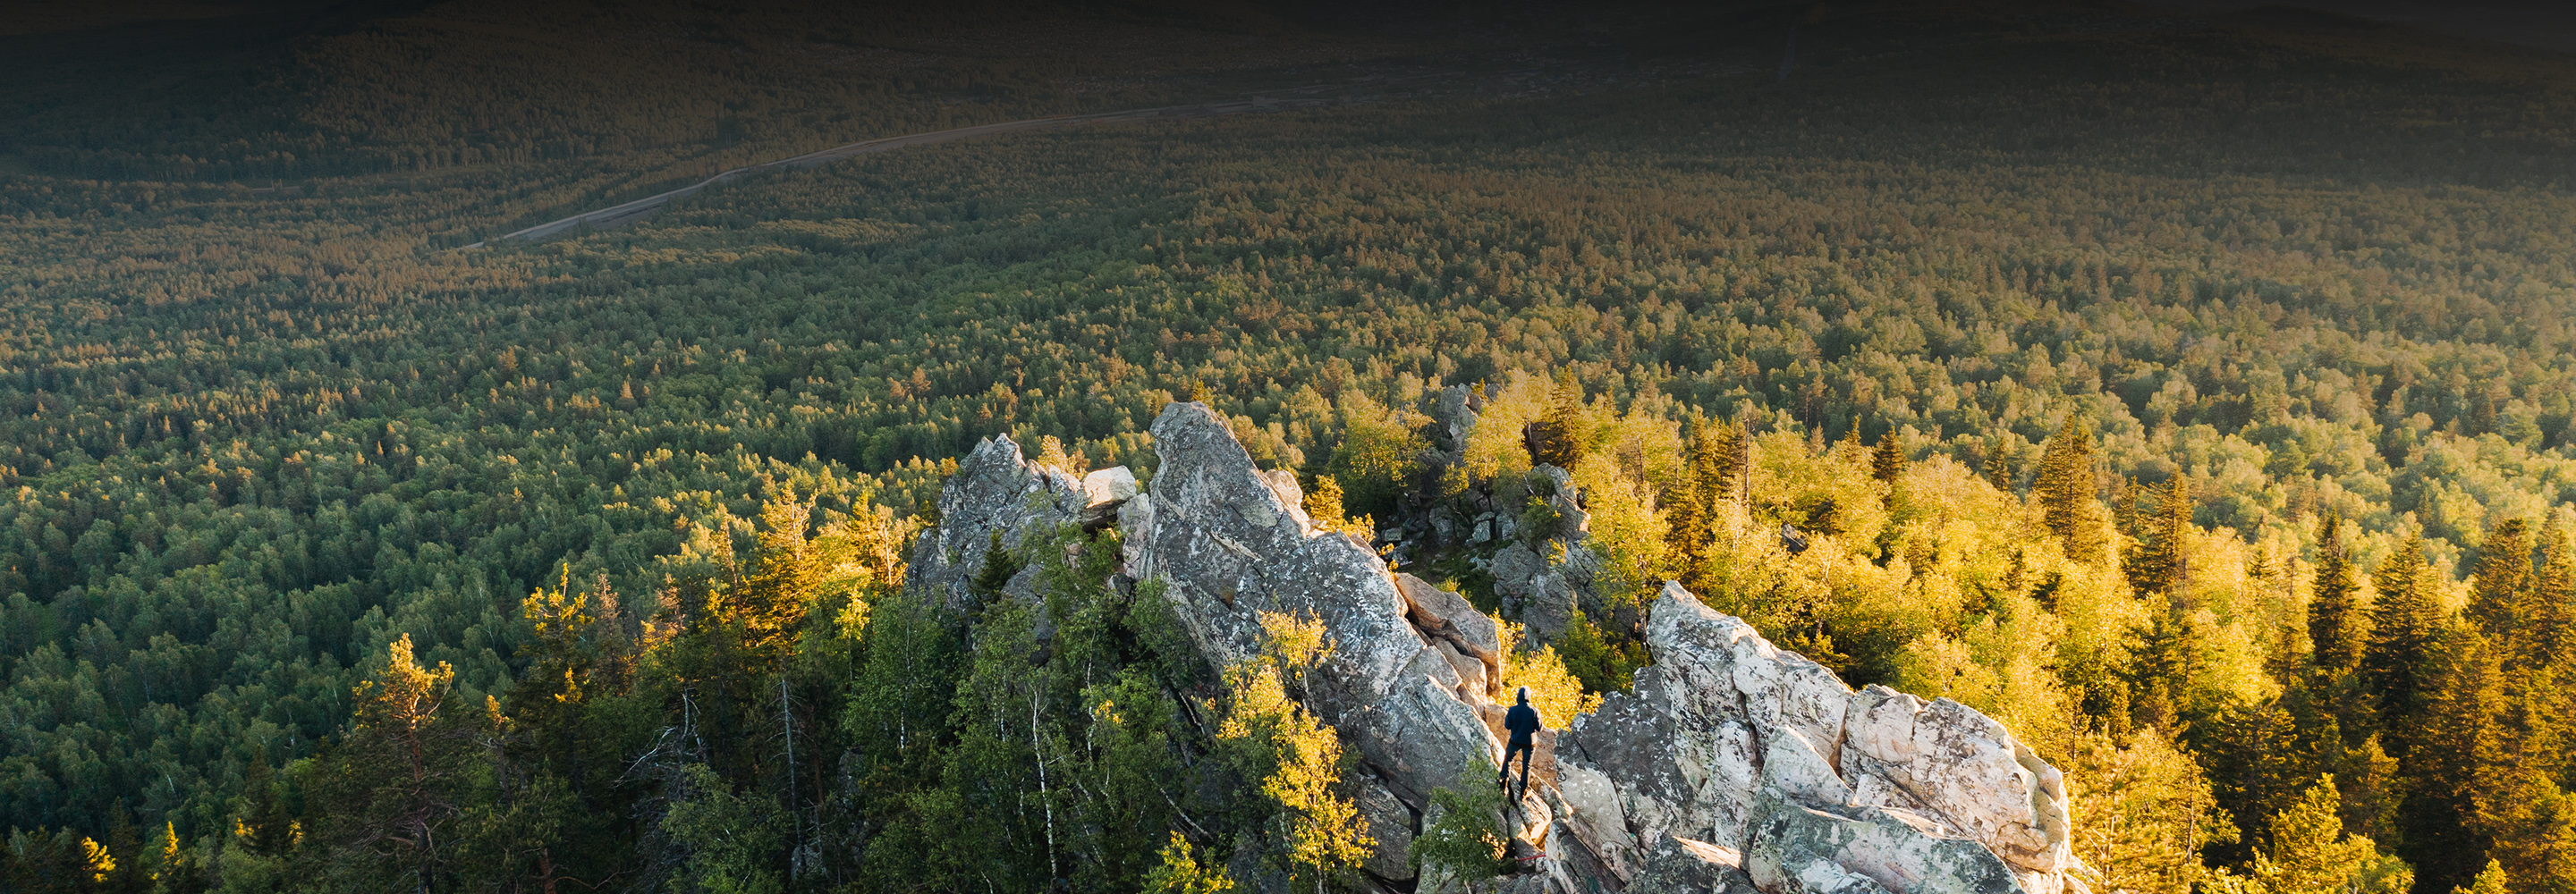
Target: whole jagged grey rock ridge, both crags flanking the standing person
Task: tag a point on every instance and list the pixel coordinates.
(1730, 766)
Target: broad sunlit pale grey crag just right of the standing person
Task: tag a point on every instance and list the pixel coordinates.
(1732, 741)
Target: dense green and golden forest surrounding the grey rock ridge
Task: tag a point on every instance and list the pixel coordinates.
(2193, 395)
